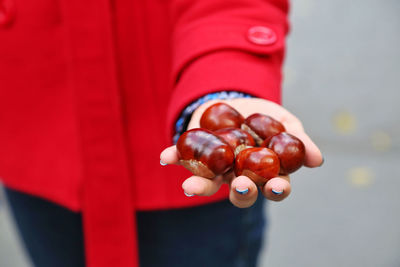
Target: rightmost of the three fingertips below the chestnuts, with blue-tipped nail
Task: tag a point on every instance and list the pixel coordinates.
(277, 188)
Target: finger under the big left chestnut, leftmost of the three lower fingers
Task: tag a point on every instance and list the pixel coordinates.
(200, 186)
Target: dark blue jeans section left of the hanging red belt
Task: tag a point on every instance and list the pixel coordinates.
(52, 235)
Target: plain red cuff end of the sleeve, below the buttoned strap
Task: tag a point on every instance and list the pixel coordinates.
(257, 75)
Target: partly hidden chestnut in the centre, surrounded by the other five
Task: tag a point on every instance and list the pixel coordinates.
(237, 138)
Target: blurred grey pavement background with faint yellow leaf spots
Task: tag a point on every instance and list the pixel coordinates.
(341, 79)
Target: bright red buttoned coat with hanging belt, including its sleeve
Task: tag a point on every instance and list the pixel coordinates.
(90, 91)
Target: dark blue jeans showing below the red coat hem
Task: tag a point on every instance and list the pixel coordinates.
(214, 235)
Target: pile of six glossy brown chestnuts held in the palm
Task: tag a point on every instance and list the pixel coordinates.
(257, 146)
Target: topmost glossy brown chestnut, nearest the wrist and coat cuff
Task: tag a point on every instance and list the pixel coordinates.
(220, 116)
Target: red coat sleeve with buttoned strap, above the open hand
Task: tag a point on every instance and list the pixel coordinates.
(226, 45)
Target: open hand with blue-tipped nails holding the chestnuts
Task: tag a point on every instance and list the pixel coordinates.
(243, 191)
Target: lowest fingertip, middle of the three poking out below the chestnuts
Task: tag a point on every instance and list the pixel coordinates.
(243, 192)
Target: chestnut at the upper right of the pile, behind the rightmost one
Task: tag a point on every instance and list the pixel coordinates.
(261, 127)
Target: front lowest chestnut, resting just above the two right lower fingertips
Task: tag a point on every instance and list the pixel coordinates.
(258, 163)
